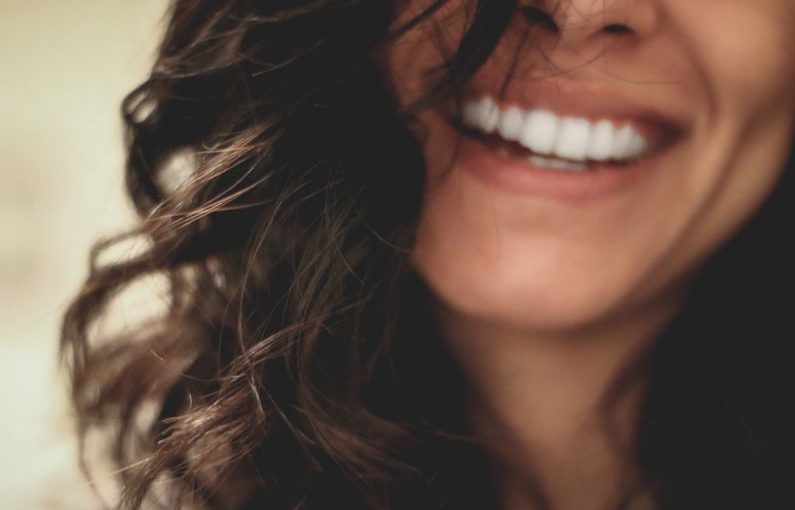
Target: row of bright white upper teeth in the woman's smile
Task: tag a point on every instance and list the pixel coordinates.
(545, 133)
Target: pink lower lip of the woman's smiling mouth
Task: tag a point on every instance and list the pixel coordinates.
(524, 178)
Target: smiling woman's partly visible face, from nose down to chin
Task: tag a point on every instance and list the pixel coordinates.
(708, 84)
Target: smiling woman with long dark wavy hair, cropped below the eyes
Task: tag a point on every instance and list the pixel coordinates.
(454, 254)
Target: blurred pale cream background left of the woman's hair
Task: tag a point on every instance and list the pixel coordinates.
(65, 67)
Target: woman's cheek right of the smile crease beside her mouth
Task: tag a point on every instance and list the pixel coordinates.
(744, 54)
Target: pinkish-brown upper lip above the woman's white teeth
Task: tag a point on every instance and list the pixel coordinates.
(565, 98)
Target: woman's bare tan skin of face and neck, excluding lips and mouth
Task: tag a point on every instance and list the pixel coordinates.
(544, 301)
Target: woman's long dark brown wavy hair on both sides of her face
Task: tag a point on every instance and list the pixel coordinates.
(293, 362)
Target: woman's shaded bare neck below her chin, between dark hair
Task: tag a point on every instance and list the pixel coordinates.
(556, 411)
